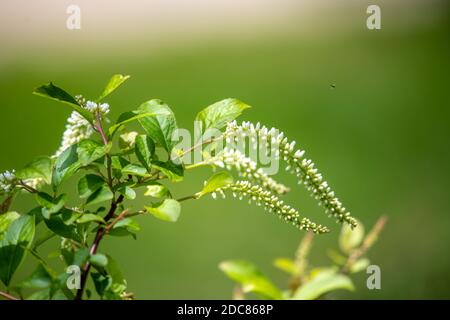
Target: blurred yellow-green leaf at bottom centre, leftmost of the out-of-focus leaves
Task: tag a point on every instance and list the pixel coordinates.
(251, 279)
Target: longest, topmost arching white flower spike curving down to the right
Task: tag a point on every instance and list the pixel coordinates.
(303, 168)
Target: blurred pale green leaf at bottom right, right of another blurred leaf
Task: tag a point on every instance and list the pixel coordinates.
(325, 281)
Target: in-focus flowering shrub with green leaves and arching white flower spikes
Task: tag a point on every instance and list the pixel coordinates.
(115, 163)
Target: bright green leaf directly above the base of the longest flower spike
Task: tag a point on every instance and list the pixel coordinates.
(217, 115)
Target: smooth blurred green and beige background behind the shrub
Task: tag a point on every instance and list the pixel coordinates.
(380, 136)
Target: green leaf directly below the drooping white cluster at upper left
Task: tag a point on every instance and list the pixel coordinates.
(66, 165)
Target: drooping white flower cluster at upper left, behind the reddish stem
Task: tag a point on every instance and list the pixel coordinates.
(77, 127)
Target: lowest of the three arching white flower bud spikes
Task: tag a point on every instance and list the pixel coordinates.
(270, 203)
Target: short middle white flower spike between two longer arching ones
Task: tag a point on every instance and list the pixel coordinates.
(247, 168)
